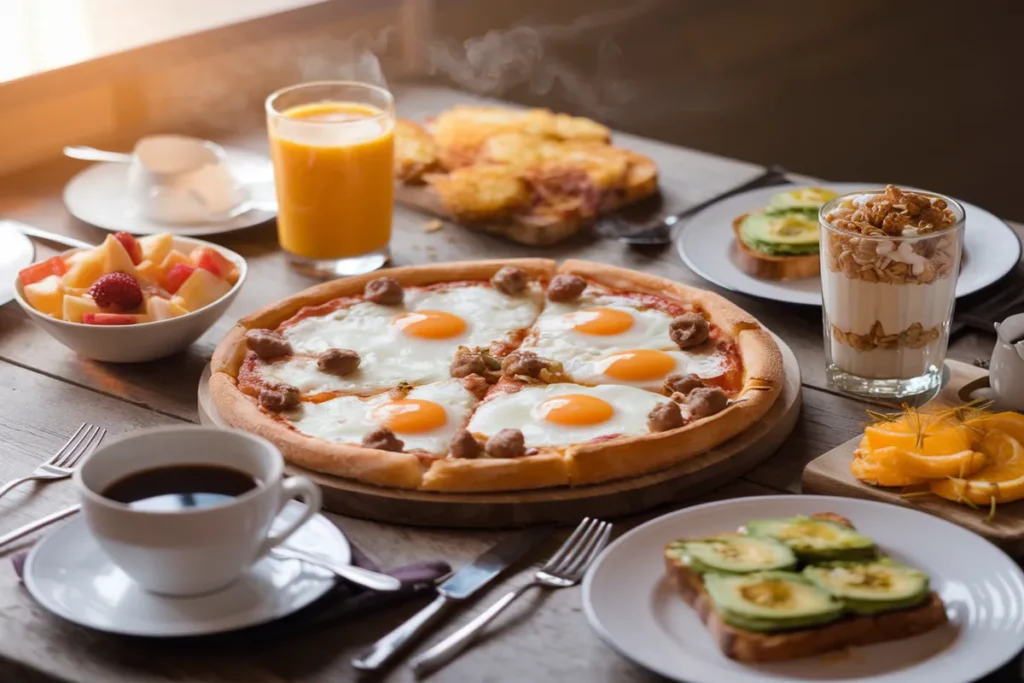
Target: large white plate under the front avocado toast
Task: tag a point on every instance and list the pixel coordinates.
(630, 604)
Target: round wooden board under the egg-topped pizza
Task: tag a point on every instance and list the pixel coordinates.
(501, 510)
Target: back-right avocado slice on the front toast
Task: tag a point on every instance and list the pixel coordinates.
(816, 540)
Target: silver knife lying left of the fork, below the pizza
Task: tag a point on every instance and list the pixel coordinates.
(463, 584)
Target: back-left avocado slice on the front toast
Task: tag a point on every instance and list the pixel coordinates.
(734, 554)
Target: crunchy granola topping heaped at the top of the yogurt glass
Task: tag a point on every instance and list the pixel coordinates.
(867, 244)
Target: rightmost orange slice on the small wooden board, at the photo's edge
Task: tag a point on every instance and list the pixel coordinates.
(1002, 480)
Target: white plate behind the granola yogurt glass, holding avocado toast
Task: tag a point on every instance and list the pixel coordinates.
(706, 244)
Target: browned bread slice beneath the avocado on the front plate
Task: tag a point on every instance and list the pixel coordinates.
(751, 647)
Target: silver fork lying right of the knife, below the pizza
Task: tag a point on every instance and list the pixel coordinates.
(566, 569)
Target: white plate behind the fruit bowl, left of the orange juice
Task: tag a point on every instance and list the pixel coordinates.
(100, 196)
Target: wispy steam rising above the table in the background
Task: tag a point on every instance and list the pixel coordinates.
(522, 57)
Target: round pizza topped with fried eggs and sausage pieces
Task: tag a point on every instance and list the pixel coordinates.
(496, 375)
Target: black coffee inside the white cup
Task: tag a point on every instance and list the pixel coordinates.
(179, 488)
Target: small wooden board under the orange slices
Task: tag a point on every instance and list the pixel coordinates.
(830, 475)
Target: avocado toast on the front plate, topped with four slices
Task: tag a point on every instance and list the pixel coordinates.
(783, 589)
